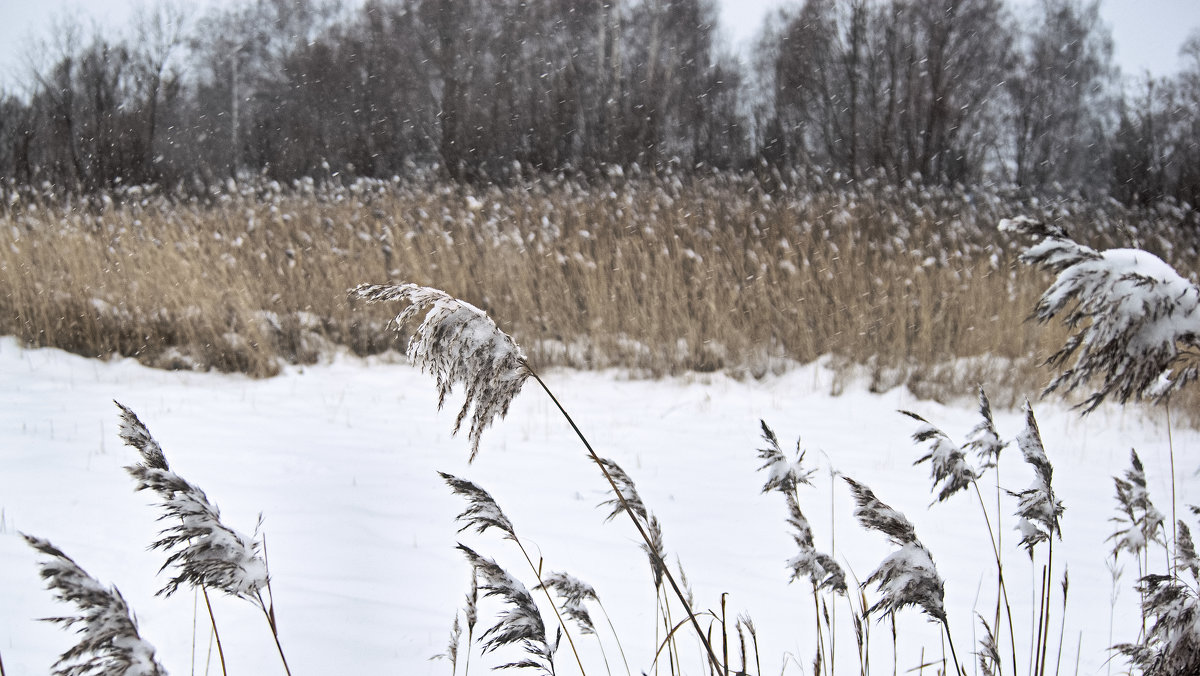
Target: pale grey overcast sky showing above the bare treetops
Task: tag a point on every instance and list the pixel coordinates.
(1148, 33)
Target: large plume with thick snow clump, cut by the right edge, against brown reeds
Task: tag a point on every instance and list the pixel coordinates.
(1133, 318)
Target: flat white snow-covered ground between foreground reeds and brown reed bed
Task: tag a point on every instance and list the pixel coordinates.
(341, 462)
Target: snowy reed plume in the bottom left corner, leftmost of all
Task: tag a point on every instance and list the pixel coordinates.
(110, 644)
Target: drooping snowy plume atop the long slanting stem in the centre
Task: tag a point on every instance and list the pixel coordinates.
(459, 344)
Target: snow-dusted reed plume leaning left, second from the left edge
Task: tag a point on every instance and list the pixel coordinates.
(203, 551)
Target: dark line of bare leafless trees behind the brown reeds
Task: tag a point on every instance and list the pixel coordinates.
(938, 92)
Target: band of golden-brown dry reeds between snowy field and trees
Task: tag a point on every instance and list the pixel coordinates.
(653, 276)
